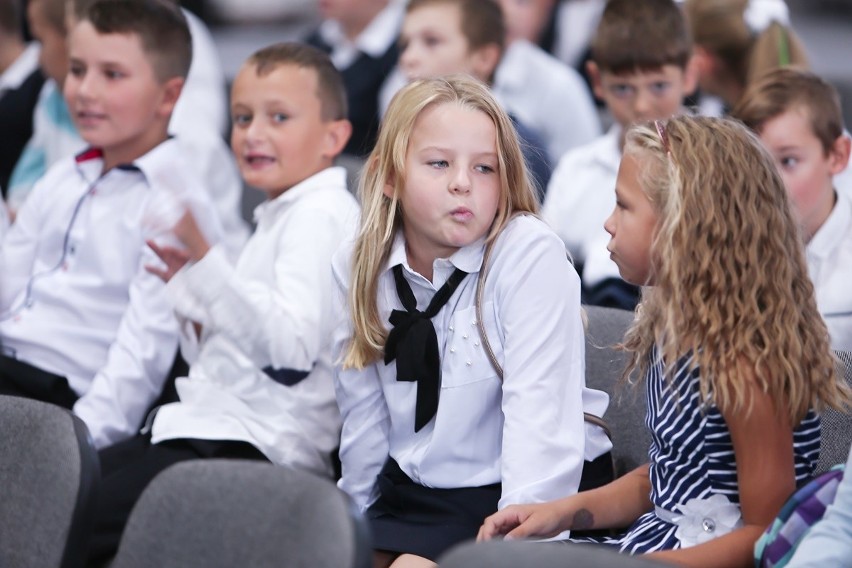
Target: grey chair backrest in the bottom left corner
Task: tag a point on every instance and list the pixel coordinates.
(49, 473)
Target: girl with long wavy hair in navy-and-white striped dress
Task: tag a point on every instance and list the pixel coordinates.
(734, 354)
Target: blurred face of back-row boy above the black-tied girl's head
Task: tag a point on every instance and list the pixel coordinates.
(432, 44)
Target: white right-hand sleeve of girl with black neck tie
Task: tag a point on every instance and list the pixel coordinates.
(537, 298)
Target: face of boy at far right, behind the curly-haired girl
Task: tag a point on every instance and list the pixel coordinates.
(805, 166)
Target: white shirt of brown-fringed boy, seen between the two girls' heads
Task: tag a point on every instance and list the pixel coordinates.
(581, 193)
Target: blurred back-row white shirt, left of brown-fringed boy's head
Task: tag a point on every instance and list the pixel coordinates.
(547, 96)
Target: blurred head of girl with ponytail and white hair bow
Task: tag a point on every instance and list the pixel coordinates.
(738, 41)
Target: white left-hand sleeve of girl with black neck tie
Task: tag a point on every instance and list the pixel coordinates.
(364, 439)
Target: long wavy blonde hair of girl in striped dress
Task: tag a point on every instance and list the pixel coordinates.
(731, 283)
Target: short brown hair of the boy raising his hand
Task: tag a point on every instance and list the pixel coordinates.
(330, 88)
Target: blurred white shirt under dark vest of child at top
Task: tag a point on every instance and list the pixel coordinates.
(374, 40)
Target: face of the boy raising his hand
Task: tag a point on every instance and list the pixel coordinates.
(279, 136)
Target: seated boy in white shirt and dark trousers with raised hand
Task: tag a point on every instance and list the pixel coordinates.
(260, 375)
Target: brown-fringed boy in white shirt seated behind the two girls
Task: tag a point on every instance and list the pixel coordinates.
(640, 69)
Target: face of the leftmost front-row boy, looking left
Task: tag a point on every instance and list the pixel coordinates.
(114, 96)
